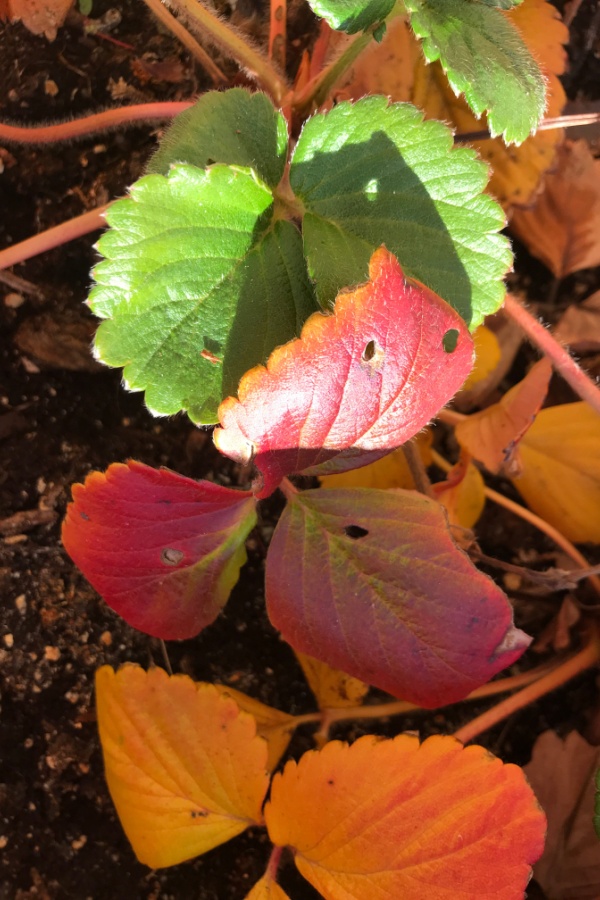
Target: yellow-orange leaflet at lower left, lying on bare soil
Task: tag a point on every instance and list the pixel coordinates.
(184, 766)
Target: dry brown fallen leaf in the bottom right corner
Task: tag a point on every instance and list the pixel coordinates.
(562, 775)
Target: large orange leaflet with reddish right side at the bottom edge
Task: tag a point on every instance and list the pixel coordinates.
(396, 819)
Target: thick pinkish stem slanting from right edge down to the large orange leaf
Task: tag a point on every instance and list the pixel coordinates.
(583, 660)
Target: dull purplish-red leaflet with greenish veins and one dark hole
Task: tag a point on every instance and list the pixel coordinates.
(371, 582)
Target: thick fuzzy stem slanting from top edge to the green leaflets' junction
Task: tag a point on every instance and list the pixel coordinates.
(234, 45)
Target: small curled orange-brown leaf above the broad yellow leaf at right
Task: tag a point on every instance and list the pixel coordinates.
(492, 436)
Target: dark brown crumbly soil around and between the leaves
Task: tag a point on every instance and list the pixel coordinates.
(61, 416)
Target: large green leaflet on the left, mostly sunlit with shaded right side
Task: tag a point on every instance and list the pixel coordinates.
(187, 287)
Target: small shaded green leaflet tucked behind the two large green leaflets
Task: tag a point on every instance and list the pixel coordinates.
(232, 127)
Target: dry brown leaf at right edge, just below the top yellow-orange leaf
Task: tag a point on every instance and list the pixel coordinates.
(563, 228)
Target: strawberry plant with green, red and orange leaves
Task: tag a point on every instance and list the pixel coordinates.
(306, 275)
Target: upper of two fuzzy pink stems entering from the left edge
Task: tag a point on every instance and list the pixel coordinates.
(110, 118)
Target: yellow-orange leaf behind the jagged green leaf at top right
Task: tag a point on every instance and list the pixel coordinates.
(396, 67)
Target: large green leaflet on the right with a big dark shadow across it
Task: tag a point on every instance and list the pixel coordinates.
(375, 173)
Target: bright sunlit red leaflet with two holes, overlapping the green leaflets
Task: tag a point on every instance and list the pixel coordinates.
(359, 382)
